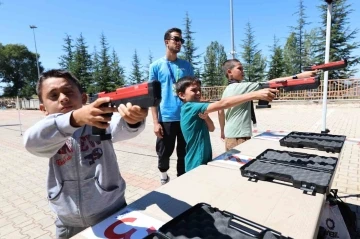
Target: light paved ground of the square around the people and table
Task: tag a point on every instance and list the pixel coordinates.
(24, 211)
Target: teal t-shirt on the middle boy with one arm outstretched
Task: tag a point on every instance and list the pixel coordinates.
(196, 135)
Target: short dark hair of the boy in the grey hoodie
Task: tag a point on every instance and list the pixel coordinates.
(58, 73)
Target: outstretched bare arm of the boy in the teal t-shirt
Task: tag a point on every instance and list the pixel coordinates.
(228, 102)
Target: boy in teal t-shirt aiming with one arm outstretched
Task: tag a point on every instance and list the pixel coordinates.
(196, 124)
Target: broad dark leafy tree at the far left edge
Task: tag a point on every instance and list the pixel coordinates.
(18, 70)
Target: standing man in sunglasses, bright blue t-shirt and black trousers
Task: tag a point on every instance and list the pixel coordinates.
(168, 70)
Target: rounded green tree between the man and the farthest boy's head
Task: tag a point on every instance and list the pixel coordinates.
(213, 60)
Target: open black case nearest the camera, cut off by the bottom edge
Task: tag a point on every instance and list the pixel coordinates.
(204, 221)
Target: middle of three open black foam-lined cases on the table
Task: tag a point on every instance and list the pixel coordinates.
(311, 173)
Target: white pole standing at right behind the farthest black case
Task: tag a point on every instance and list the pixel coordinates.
(324, 130)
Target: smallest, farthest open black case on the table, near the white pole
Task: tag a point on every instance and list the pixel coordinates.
(323, 142)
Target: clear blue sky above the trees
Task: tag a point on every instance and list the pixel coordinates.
(141, 24)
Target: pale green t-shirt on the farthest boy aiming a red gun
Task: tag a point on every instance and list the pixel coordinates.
(238, 118)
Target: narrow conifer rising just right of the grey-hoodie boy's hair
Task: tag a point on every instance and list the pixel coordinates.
(82, 64)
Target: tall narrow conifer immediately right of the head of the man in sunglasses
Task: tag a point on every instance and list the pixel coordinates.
(189, 48)
